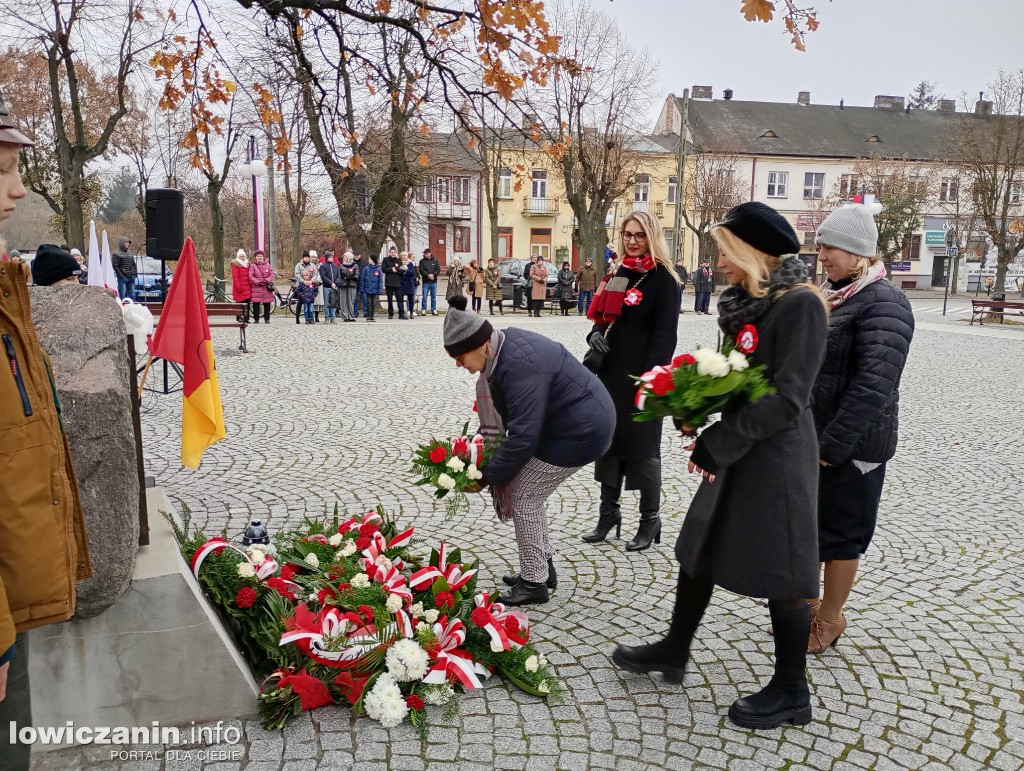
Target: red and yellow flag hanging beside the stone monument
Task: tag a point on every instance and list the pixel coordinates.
(184, 336)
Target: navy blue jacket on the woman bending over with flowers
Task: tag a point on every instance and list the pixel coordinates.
(553, 408)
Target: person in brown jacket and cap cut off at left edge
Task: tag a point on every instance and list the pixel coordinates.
(42, 537)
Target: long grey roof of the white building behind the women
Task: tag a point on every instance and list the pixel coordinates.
(818, 131)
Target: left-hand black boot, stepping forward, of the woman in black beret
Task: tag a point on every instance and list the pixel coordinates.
(671, 655)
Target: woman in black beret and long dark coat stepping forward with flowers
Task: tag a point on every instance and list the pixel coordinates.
(752, 528)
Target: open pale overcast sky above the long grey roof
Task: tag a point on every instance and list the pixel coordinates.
(863, 49)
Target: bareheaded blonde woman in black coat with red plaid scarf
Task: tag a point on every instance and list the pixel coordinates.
(635, 315)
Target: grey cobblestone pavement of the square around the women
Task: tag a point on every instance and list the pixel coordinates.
(928, 675)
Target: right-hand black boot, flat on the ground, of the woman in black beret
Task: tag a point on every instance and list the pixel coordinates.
(787, 699)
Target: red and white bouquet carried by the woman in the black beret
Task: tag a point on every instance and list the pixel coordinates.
(704, 382)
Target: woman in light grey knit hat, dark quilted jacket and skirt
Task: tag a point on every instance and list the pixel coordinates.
(857, 405)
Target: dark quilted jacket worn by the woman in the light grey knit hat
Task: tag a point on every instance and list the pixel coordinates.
(857, 395)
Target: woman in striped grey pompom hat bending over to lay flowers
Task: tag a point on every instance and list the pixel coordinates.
(554, 417)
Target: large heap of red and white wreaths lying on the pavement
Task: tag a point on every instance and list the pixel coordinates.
(342, 613)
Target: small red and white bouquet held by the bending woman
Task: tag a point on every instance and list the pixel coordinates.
(452, 468)
